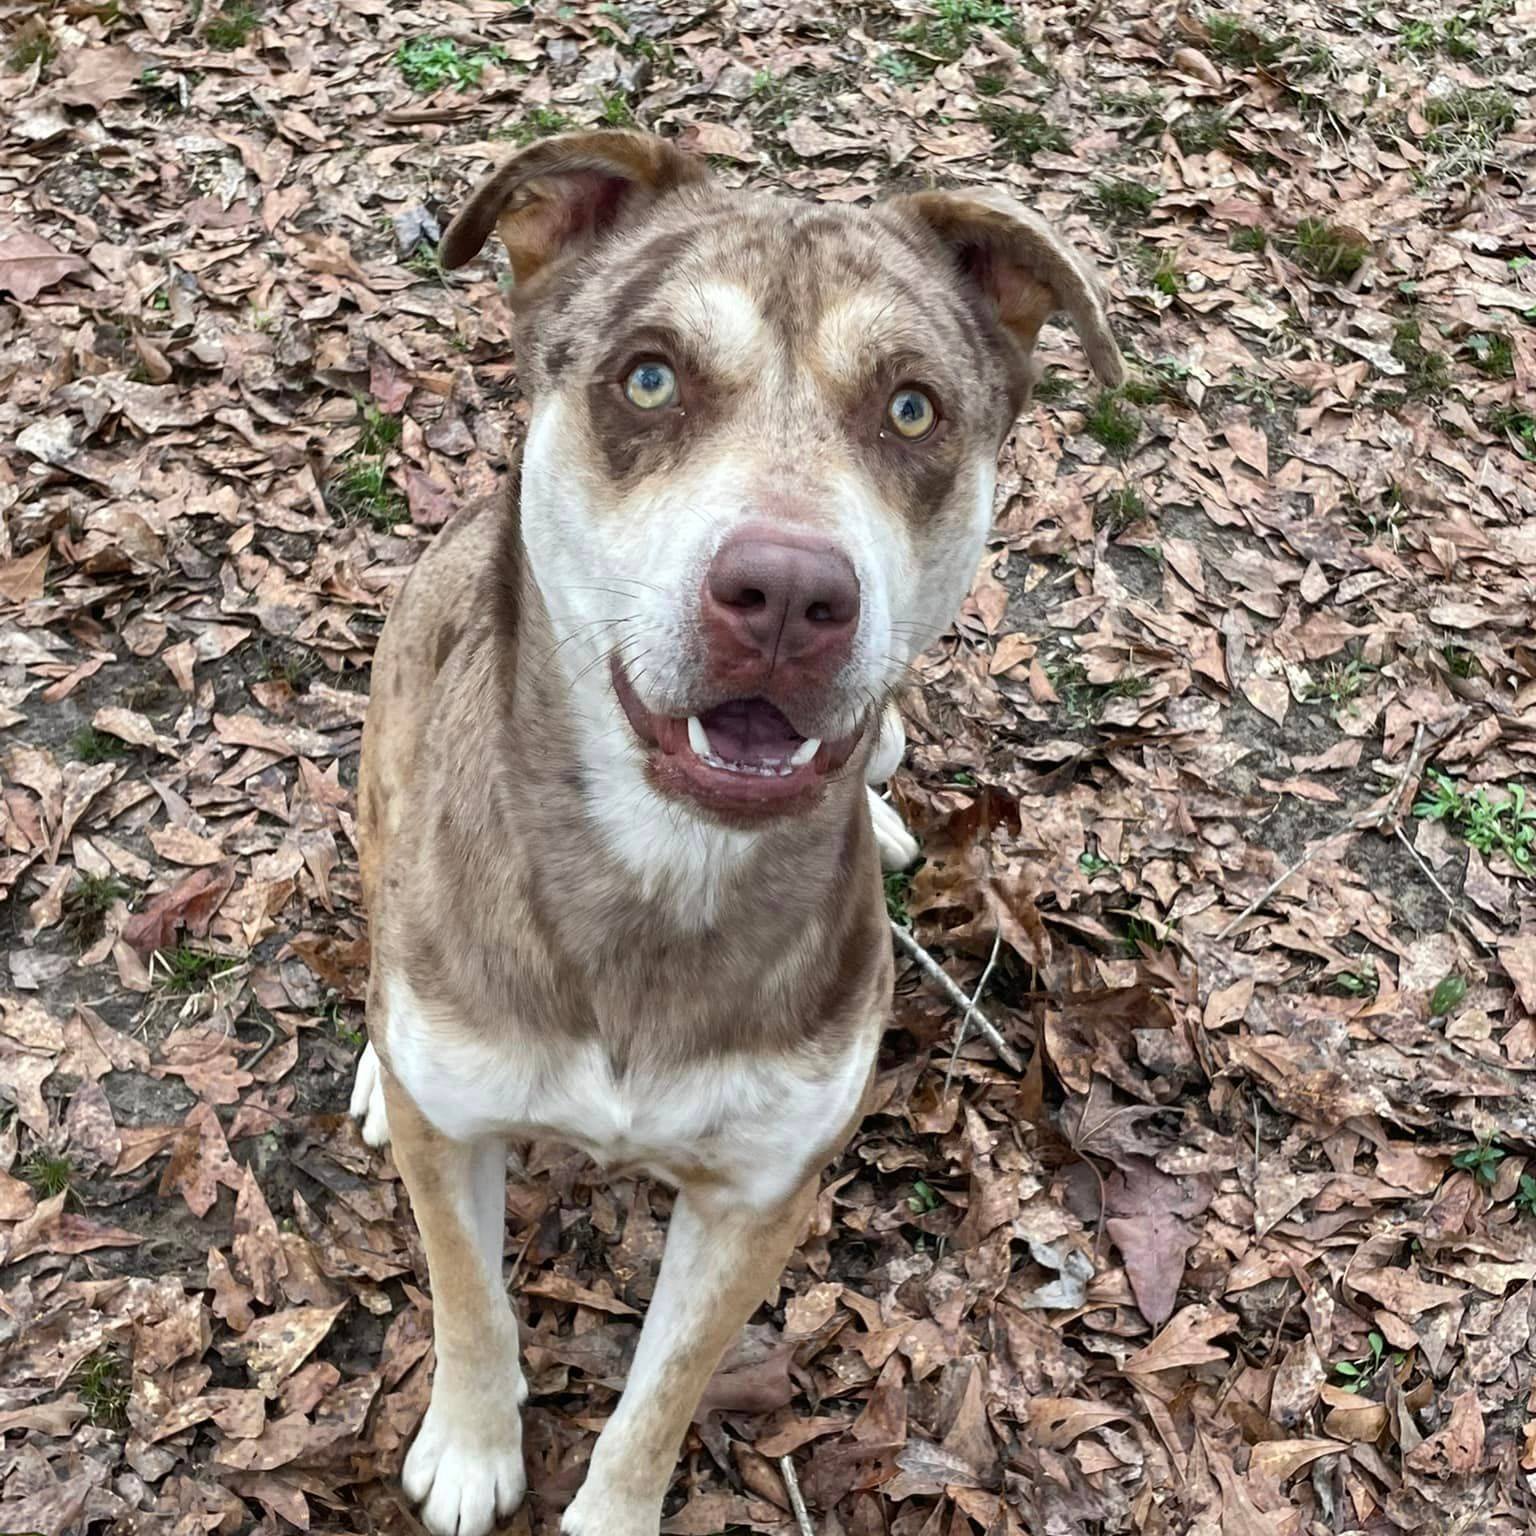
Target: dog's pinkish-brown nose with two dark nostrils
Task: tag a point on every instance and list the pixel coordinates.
(781, 598)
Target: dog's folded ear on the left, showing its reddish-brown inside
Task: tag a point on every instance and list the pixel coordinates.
(564, 193)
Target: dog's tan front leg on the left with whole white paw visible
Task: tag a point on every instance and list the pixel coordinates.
(466, 1465)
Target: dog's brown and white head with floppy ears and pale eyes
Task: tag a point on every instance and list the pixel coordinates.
(763, 442)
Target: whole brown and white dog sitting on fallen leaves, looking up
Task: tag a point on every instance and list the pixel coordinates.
(620, 859)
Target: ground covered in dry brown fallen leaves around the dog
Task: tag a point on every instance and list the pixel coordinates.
(1223, 776)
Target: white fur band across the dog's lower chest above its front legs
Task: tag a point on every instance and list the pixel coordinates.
(747, 1121)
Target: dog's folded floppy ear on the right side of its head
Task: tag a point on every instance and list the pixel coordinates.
(1022, 266)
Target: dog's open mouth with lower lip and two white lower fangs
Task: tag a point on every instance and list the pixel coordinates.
(743, 755)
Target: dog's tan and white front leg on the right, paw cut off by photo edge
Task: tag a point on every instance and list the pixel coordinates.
(723, 1260)
